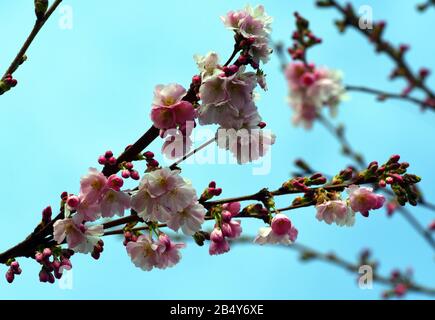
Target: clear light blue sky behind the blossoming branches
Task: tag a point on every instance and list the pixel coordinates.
(88, 89)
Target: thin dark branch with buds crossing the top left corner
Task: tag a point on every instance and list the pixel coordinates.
(43, 13)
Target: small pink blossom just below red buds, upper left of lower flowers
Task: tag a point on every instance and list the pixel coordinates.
(92, 186)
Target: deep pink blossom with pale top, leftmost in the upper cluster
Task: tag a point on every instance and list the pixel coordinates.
(168, 109)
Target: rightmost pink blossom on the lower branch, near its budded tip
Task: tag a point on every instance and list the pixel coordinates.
(364, 199)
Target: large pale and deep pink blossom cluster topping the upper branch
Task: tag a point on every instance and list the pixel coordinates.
(221, 94)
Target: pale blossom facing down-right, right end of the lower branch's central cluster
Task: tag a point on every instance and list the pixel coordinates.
(189, 219)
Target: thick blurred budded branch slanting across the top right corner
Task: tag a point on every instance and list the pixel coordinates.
(397, 54)
